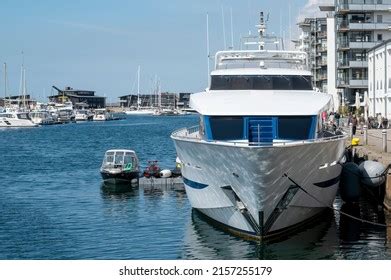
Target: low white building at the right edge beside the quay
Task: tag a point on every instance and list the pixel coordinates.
(379, 79)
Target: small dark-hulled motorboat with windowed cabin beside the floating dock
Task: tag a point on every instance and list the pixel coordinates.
(120, 166)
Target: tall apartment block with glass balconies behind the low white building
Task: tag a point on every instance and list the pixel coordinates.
(360, 25)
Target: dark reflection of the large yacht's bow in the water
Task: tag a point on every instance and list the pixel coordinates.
(205, 241)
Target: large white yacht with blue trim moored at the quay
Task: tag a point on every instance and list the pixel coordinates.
(261, 161)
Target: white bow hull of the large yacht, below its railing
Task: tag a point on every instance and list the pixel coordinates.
(244, 187)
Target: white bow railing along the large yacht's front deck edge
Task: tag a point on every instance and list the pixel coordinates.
(192, 134)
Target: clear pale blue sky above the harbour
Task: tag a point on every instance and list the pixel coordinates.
(98, 45)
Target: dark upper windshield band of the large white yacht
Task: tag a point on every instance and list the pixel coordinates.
(261, 82)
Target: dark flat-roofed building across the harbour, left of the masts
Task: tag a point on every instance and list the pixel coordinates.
(78, 96)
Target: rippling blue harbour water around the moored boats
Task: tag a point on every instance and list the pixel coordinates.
(53, 205)
